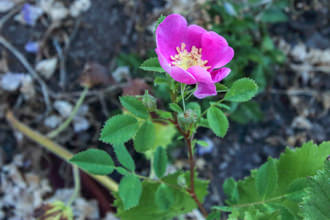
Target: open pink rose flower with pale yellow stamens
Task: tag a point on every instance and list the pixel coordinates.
(192, 55)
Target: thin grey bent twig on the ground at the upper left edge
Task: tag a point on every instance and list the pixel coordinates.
(29, 68)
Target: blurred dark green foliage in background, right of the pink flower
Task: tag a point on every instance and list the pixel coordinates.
(255, 54)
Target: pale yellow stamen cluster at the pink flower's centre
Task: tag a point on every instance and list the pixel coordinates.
(185, 59)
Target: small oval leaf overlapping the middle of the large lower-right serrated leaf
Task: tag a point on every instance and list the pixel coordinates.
(266, 179)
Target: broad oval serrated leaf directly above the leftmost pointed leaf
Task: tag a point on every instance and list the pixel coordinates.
(119, 129)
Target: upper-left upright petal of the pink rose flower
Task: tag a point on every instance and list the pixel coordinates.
(170, 34)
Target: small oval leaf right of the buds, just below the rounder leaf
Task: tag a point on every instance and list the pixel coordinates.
(217, 121)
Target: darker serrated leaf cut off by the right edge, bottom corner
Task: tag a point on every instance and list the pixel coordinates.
(316, 203)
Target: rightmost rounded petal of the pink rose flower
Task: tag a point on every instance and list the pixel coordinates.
(215, 50)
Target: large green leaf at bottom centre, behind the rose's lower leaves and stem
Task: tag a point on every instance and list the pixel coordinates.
(149, 210)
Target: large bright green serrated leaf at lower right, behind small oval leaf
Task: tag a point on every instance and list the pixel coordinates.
(292, 166)
